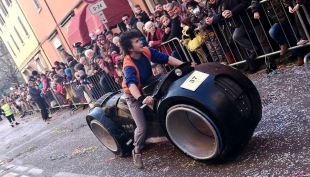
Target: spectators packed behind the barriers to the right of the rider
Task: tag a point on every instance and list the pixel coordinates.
(224, 31)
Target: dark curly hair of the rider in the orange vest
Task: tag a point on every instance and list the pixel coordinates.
(125, 40)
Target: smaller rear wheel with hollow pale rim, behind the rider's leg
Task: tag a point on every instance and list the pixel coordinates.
(112, 137)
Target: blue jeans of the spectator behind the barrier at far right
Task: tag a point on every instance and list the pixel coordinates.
(277, 34)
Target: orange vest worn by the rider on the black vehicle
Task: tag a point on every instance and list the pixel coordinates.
(128, 62)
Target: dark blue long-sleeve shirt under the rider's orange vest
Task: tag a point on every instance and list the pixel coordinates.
(144, 67)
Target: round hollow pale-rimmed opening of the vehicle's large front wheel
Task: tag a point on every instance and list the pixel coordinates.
(193, 132)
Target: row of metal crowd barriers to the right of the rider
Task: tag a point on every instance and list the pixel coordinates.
(218, 47)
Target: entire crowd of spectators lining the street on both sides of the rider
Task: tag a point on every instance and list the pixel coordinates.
(209, 30)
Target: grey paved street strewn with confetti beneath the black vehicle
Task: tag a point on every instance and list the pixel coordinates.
(67, 148)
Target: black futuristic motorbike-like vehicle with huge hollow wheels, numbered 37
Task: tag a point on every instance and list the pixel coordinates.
(206, 111)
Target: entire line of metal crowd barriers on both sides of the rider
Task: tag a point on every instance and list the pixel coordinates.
(216, 47)
